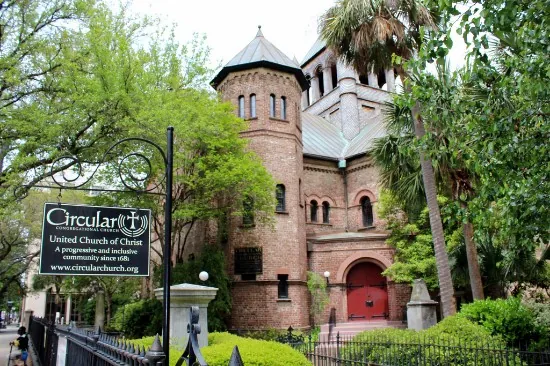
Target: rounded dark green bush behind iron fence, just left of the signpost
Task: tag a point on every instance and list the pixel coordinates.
(139, 319)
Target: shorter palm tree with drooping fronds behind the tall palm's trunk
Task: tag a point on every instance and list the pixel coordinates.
(400, 172)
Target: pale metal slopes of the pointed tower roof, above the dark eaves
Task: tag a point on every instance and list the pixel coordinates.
(260, 49)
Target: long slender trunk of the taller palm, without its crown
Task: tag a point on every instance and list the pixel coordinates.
(448, 303)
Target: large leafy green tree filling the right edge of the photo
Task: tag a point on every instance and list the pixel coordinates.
(498, 125)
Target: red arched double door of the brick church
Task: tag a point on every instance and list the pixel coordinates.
(367, 292)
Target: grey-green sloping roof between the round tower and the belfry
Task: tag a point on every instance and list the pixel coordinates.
(321, 139)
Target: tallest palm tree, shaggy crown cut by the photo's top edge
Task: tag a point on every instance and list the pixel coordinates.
(365, 34)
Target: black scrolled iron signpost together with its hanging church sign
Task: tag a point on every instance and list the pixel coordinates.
(81, 247)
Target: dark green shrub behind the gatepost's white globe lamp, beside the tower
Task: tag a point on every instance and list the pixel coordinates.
(212, 260)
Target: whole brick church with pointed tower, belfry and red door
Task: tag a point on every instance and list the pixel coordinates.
(312, 124)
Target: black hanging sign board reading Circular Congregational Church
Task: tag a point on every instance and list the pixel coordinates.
(95, 240)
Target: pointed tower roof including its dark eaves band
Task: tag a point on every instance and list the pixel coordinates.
(261, 53)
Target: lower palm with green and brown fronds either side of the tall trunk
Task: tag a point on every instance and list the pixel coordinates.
(397, 156)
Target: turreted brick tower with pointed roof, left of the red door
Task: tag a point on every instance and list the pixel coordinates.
(268, 265)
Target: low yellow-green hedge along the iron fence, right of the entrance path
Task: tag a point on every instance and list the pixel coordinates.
(404, 347)
